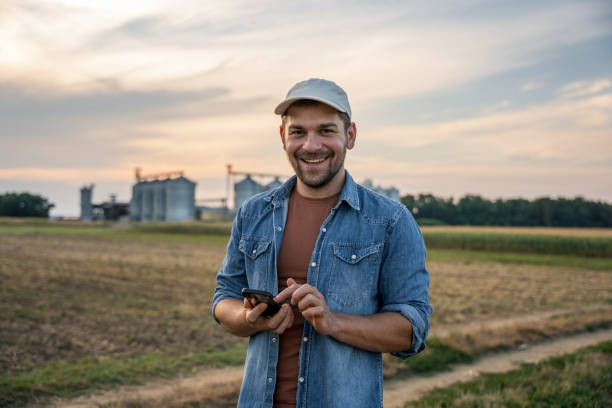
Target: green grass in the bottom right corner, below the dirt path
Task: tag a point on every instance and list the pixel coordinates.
(582, 379)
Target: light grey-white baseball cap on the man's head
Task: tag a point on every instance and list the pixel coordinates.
(316, 89)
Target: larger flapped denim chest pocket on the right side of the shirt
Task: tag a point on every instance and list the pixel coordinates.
(354, 274)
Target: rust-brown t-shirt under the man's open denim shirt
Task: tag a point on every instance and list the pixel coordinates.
(304, 219)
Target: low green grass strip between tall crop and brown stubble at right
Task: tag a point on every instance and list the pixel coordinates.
(564, 261)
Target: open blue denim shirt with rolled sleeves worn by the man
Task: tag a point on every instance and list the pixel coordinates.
(369, 258)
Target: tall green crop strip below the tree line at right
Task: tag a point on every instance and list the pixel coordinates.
(584, 246)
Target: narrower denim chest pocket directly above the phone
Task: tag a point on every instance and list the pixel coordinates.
(256, 258)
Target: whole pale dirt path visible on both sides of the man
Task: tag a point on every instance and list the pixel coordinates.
(215, 384)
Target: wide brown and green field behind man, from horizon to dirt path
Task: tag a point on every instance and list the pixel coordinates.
(91, 307)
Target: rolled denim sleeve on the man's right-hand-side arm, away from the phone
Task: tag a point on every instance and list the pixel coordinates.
(404, 283)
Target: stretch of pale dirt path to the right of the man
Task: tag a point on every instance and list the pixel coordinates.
(399, 392)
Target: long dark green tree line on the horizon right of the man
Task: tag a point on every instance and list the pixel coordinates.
(475, 210)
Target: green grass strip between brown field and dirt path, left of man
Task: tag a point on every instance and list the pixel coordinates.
(66, 379)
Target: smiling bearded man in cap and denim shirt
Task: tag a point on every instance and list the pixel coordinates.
(347, 265)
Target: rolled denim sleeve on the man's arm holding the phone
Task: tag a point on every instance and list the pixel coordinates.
(231, 277)
